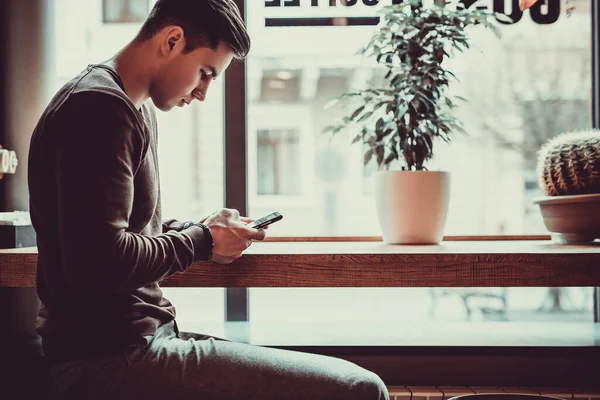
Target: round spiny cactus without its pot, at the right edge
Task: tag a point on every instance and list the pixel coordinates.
(569, 164)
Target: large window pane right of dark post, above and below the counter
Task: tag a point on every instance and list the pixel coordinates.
(523, 89)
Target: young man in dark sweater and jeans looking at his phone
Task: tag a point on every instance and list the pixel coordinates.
(103, 248)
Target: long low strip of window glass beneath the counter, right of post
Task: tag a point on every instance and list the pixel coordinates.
(343, 305)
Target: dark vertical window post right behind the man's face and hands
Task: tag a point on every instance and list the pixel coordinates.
(236, 299)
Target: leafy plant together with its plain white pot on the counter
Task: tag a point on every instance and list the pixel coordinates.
(400, 121)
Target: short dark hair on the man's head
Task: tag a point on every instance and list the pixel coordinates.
(205, 23)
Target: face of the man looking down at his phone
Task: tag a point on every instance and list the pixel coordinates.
(185, 77)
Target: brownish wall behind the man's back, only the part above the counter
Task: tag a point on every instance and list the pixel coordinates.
(27, 72)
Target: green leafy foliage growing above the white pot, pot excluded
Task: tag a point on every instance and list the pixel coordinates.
(401, 120)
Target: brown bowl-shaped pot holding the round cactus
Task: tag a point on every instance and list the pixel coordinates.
(571, 219)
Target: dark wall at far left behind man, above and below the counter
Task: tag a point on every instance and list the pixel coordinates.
(26, 72)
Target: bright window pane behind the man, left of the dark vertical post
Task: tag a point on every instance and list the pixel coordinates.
(190, 138)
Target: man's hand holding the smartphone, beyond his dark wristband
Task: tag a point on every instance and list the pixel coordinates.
(231, 235)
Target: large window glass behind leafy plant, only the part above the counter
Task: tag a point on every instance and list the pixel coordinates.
(522, 90)
